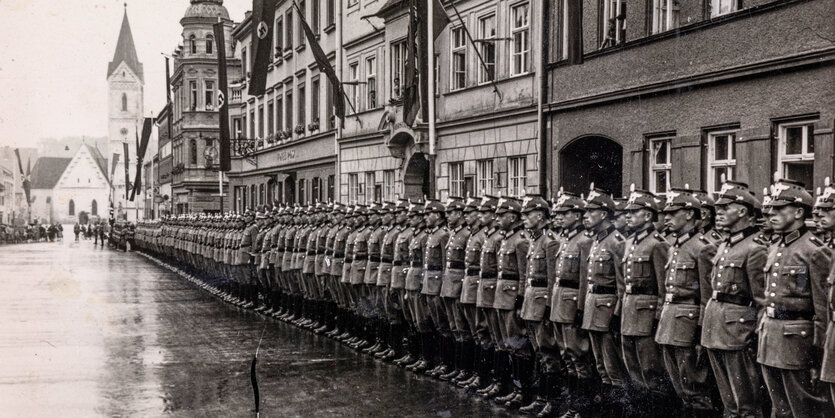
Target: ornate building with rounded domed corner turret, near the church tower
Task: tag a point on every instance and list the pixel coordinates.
(194, 83)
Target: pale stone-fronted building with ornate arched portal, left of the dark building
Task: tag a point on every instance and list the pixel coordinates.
(485, 108)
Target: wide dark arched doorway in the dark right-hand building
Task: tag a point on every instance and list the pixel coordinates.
(591, 159)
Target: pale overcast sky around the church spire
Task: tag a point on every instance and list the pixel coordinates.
(54, 55)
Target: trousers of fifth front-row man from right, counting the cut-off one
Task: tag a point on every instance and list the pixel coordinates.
(643, 360)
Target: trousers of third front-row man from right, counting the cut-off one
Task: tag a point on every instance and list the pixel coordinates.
(738, 381)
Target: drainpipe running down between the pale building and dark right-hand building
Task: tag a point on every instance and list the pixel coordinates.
(542, 79)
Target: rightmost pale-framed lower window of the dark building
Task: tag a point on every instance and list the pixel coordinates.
(796, 152)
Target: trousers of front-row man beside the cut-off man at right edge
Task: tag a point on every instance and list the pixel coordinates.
(794, 395)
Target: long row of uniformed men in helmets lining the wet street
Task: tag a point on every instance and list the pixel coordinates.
(573, 305)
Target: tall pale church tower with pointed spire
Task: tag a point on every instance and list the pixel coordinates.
(126, 83)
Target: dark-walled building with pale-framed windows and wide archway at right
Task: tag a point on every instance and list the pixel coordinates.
(672, 93)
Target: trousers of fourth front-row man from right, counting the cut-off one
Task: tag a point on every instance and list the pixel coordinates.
(689, 370)
